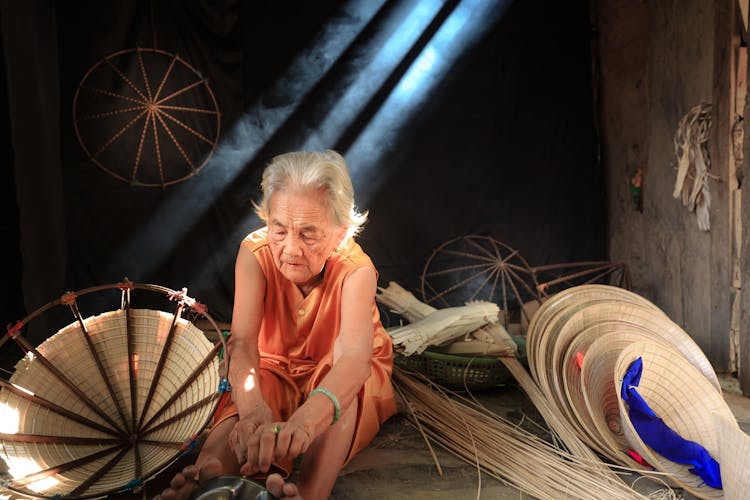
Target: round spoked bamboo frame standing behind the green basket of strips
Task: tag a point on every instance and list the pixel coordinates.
(474, 267)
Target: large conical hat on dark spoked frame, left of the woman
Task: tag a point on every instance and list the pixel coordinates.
(108, 401)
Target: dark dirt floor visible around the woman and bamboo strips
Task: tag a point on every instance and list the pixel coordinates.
(398, 463)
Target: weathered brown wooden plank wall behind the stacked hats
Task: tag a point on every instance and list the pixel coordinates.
(654, 61)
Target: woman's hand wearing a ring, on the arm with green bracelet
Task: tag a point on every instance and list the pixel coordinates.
(274, 442)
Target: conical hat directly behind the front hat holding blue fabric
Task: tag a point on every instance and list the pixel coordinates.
(600, 407)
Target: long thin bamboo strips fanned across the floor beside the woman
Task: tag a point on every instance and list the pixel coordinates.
(503, 450)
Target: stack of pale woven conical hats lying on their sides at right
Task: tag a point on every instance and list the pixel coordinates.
(580, 343)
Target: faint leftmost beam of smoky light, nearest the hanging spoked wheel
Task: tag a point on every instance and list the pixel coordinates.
(148, 247)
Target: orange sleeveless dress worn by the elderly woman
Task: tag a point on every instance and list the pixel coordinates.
(297, 336)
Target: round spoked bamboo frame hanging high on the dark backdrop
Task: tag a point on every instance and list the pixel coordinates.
(146, 117)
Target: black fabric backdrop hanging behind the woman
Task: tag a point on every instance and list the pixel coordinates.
(504, 146)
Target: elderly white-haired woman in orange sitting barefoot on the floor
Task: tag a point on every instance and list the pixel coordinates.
(310, 362)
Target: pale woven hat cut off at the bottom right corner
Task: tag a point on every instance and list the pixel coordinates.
(734, 458)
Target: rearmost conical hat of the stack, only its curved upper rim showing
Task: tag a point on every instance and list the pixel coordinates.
(561, 300)
